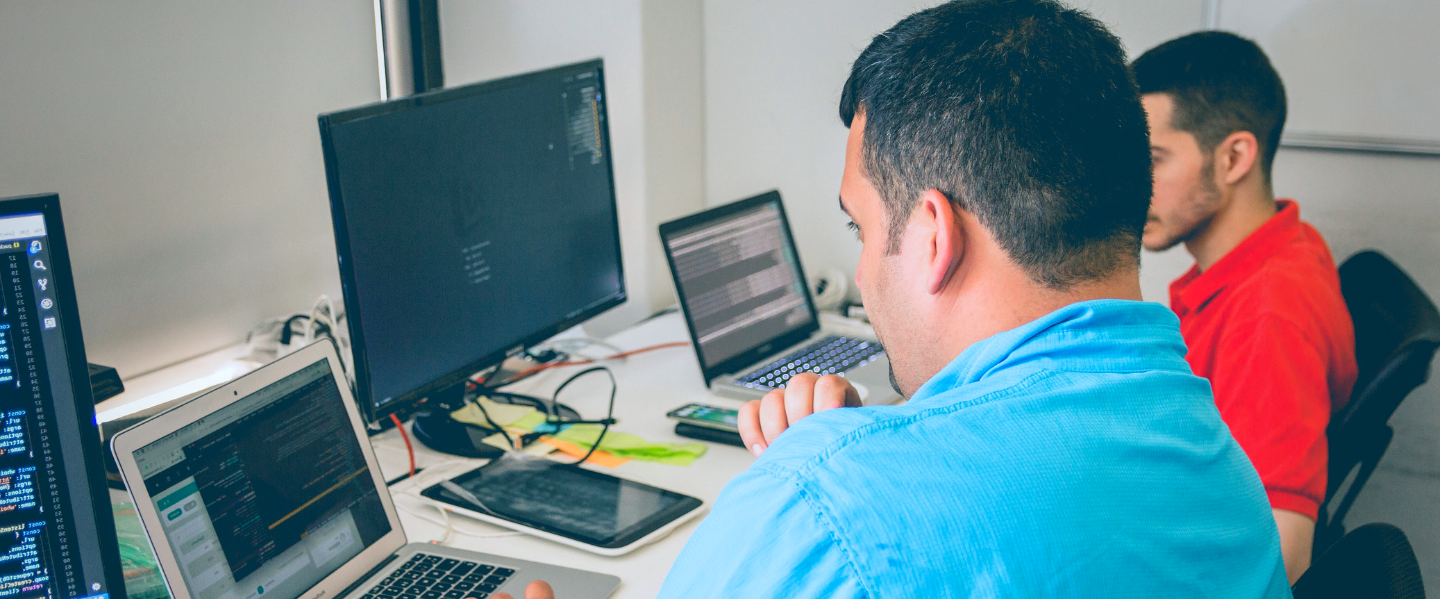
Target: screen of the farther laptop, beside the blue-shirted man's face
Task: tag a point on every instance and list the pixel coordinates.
(739, 280)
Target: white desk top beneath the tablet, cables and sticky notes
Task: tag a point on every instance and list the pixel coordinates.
(650, 385)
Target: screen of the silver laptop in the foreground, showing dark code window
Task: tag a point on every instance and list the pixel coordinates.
(267, 496)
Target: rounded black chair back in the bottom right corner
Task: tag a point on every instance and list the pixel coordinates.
(1372, 562)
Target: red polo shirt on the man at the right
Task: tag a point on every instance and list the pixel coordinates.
(1268, 326)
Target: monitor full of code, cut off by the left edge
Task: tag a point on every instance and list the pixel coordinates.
(57, 529)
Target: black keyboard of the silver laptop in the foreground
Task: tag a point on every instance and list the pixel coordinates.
(428, 577)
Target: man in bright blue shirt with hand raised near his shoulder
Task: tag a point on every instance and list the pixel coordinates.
(1056, 443)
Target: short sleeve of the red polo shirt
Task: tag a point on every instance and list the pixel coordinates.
(1271, 384)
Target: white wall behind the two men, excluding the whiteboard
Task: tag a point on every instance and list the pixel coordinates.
(774, 74)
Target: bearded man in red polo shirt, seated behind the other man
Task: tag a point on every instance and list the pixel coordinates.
(1262, 310)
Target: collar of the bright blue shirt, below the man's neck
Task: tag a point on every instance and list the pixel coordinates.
(1099, 335)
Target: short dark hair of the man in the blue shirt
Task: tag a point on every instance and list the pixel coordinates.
(1022, 113)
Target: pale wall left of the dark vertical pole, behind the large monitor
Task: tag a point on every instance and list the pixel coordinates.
(182, 140)
